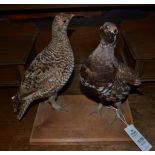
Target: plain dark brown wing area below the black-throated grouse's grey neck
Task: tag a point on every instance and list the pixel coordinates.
(97, 75)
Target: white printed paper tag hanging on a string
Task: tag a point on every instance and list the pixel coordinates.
(137, 137)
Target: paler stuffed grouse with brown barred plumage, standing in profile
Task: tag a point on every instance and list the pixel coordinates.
(49, 71)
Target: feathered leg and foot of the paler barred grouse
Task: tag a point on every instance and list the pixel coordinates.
(55, 105)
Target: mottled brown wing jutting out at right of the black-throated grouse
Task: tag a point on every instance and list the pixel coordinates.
(125, 73)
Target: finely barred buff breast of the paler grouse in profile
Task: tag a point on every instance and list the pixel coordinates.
(64, 63)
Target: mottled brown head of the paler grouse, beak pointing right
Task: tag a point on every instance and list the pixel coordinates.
(61, 21)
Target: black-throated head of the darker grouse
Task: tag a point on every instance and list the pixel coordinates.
(109, 32)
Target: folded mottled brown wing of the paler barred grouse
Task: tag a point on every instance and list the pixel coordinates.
(40, 74)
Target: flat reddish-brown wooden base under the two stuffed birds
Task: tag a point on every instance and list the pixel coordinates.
(77, 126)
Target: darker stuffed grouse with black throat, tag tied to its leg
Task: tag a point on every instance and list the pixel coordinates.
(104, 76)
